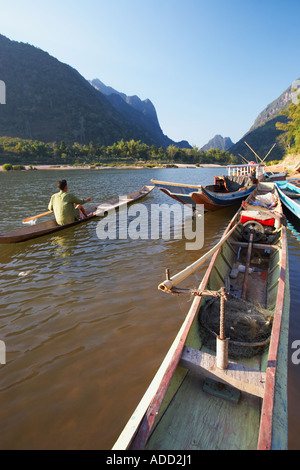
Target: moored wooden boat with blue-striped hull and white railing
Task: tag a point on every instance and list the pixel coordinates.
(226, 190)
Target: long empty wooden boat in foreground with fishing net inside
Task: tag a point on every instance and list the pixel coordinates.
(200, 399)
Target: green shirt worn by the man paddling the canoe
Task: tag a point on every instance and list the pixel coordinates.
(62, 204)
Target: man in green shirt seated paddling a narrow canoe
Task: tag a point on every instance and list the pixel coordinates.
(66, 206)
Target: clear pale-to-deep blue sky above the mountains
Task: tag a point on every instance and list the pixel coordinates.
(209, 66)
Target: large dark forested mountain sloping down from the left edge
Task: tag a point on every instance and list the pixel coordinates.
(50, 101)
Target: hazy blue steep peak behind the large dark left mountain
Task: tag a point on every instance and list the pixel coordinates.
(140, 113)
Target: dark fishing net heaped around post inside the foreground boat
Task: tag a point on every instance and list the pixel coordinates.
(247, 326)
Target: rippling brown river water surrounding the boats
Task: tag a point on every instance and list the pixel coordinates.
(84, 325)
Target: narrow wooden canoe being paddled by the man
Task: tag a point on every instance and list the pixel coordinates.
(50, 226)
